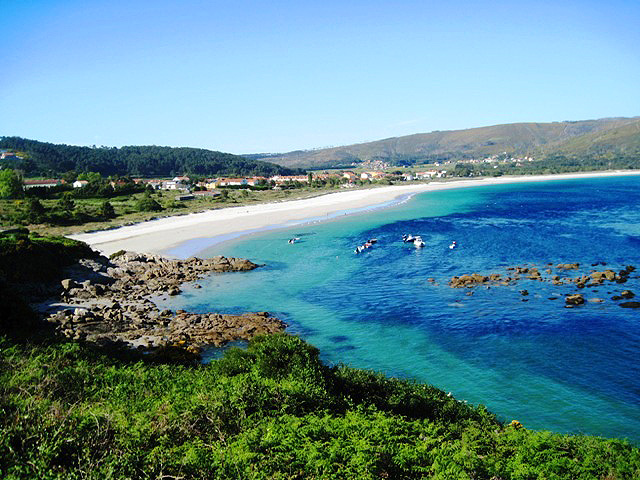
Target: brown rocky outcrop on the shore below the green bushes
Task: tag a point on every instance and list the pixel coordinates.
(108, 302)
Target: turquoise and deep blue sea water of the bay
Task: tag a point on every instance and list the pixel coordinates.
(526, 358)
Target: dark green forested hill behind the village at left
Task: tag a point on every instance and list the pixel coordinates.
(49, 159)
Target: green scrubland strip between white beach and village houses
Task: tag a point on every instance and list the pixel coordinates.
(104, 203)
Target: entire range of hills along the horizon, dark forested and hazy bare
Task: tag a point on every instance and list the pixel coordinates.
(592, 139)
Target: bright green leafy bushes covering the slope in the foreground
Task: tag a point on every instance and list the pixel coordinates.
(271, 411)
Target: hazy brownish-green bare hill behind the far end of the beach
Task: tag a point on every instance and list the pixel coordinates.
(539, 139)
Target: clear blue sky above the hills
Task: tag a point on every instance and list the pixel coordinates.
(274, 76)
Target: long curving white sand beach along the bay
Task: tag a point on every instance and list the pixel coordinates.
(158, 236)
